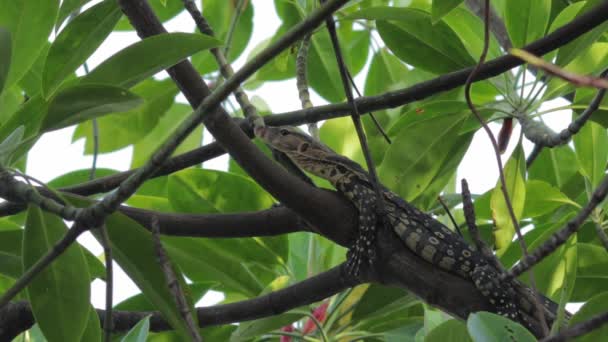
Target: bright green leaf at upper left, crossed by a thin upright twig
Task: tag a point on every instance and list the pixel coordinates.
(119, 130)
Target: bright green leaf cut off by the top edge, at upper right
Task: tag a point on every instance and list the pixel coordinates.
(526, 21)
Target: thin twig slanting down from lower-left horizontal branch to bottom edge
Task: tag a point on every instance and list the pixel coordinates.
(173, 283)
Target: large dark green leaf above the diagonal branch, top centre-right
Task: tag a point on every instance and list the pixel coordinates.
(412, 37)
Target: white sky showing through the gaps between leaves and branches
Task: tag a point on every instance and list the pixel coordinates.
(54, 154)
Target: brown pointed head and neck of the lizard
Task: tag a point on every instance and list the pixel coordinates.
(306, 152)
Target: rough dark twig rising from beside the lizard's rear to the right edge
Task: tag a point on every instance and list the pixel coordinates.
(560, 237)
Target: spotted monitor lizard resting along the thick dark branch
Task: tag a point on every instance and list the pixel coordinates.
(420, 233)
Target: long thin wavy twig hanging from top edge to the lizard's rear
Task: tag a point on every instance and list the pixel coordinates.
(467, 91)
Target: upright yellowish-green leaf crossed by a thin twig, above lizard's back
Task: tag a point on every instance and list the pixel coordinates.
(514, 172)
